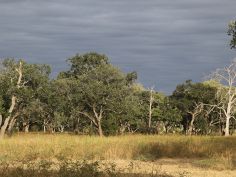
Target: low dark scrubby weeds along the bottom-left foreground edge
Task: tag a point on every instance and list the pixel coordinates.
(70, 169)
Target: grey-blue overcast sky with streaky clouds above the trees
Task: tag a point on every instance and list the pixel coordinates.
(165, 41)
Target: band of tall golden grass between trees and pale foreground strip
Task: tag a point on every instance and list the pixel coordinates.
(205, 152)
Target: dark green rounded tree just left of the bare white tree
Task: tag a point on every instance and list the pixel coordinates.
(190, 99)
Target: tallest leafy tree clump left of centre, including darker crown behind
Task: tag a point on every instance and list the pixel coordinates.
(103, 93)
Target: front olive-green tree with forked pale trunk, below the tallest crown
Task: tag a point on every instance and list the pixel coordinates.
(103, 91)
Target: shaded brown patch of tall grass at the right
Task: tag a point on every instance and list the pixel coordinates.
(211, 153)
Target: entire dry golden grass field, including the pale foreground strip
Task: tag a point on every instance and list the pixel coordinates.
(137, 155)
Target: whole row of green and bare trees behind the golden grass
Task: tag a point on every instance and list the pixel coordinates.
(95, 97)
